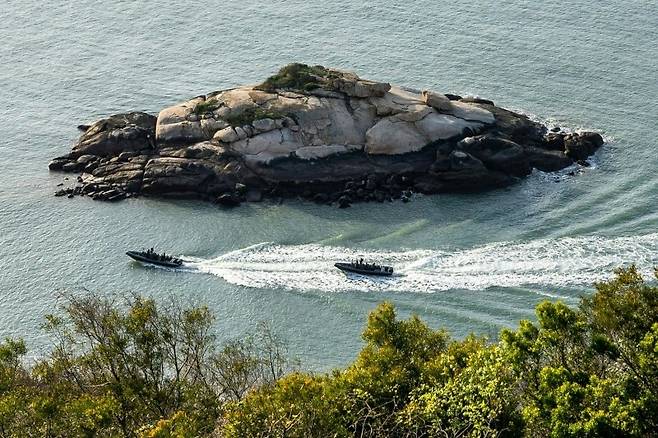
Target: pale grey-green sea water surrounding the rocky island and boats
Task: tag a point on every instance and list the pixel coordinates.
(470, 263)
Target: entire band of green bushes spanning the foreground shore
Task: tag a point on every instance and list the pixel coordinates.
(137, 369)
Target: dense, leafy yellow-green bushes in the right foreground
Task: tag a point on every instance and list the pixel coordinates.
(590, 371)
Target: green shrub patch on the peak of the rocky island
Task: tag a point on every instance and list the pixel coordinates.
(300, 77)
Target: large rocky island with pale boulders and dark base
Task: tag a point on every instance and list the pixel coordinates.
(318, 133)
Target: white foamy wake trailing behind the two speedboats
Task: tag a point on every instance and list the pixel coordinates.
(548, 264)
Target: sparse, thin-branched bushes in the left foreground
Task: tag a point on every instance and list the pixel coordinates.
(130, 368)
